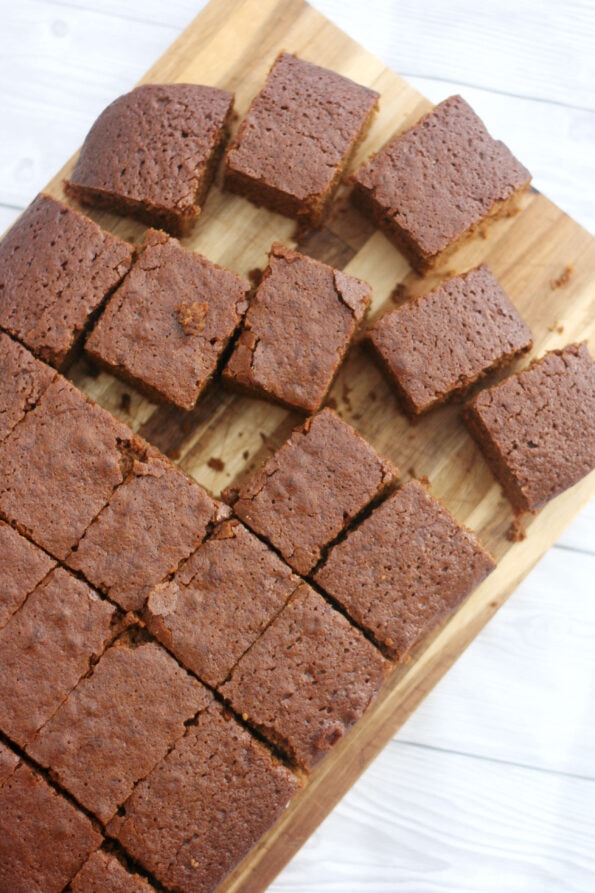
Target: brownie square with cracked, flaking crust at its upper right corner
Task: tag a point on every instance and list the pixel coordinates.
(297, 331)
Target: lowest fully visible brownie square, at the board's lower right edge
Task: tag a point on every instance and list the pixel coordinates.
(204, 807)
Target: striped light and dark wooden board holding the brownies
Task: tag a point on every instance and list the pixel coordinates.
(232, 44)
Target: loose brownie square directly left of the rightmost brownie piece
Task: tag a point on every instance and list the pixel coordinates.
(439, 345)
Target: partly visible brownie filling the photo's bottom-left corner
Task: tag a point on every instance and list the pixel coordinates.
(44, 839)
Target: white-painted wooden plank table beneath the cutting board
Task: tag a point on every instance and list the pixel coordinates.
(491, 785)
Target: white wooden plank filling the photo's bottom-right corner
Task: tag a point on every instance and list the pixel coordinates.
(451, 824)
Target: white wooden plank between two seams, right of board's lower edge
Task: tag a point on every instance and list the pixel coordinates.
(535, 702)
